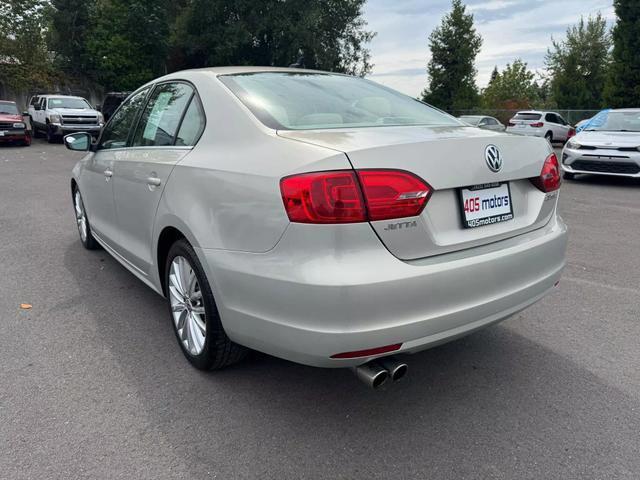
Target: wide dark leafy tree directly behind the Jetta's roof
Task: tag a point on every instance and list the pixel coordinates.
(331, 33)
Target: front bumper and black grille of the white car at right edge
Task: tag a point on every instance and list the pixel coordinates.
(601, 162)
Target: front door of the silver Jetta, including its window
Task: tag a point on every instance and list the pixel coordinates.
(96, 182)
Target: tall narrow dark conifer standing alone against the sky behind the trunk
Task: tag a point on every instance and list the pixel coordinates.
(454, 46)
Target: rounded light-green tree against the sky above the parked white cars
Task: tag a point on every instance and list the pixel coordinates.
(578, 64)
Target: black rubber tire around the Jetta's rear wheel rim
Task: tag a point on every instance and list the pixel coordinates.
(218, 351)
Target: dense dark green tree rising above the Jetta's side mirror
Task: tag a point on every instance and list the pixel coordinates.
(127, 42)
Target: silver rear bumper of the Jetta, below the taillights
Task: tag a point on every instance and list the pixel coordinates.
(307, 307)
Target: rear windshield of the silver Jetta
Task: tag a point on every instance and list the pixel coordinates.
(307, 101)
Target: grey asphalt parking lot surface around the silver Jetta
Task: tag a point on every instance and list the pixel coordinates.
(93, 384)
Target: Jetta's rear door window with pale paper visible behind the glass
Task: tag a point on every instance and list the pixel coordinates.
(161, 118)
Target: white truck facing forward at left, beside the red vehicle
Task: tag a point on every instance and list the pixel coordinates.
(56, 115)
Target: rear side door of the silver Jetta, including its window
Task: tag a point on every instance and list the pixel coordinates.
(160, 141)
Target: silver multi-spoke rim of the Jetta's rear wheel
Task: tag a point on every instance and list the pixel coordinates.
(187, 307)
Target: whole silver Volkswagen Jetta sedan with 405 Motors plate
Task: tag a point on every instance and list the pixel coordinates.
(317, 217)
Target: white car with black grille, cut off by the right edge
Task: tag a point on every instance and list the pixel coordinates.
(608, 145)
